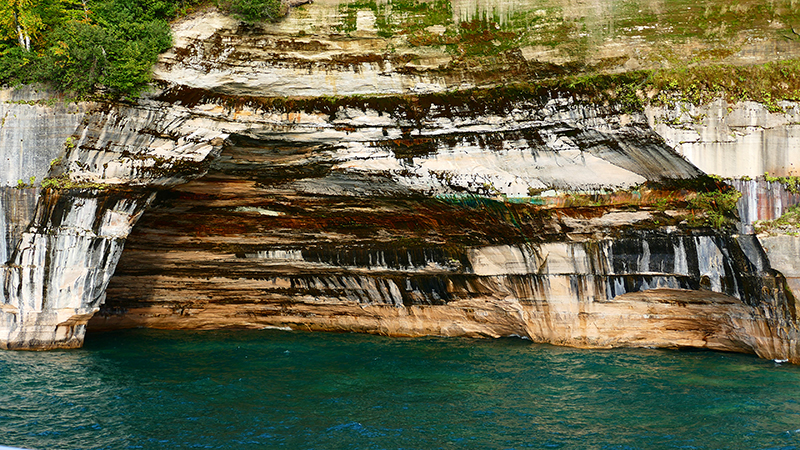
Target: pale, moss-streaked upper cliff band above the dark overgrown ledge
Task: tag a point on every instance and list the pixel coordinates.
(335, 48)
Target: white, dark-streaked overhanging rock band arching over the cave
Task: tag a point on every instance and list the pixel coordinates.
(553, 143)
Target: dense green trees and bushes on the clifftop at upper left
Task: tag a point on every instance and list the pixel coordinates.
(89, 47)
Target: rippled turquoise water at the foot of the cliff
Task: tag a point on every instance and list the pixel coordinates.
(145, 389)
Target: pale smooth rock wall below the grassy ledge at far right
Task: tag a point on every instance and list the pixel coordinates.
(742, 141)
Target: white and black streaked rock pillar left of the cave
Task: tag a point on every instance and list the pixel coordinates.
(61, 244)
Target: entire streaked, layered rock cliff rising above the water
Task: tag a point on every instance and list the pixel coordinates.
(334, 173)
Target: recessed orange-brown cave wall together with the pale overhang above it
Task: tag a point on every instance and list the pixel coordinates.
(348, 221)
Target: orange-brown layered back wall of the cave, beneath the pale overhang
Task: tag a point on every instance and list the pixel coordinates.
(416, 267)
